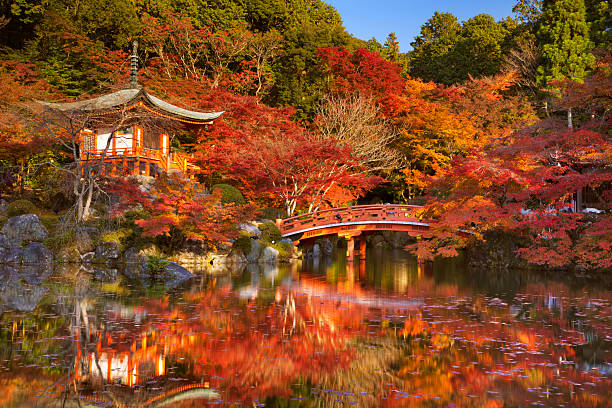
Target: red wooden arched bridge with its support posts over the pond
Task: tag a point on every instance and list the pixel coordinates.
(353, 222)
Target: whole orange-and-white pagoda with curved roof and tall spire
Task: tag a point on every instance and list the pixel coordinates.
(134, 148)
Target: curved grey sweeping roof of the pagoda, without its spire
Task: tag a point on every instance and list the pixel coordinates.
(129, 99)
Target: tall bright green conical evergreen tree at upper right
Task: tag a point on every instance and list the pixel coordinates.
(565, 42)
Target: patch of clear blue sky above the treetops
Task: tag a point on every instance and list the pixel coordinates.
(377, 18)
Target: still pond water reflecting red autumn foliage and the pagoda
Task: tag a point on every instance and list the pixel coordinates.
(387, 332)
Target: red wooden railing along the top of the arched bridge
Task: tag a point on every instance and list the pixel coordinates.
(359, 213)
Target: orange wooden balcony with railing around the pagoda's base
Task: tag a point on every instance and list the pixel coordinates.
(139, 161)
